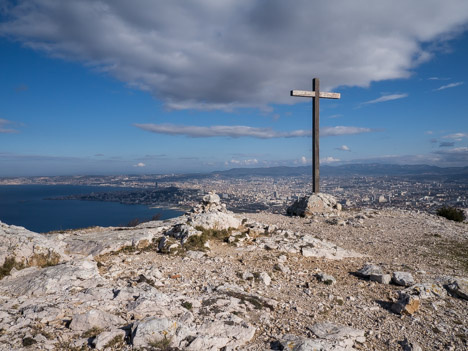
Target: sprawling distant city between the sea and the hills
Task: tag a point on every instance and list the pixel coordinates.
(273, 189)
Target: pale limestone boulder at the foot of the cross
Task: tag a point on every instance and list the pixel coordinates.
(312, 205)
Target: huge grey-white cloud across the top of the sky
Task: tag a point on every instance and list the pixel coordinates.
(245, 53)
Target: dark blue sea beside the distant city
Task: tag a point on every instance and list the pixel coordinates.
(26, 206)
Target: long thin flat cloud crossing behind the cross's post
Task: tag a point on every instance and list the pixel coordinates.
(244, 131)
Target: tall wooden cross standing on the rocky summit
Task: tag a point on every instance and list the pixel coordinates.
(315, 94)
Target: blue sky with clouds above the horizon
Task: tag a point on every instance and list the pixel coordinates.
(148, 86)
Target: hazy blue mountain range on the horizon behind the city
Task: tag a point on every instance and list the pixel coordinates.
(374, 169)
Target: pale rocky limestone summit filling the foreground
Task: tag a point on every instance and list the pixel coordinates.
(325, 279)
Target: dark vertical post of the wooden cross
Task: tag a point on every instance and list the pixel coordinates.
(316, 136)
